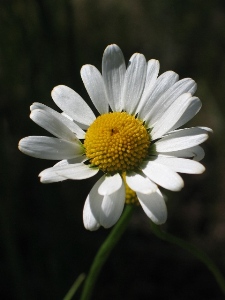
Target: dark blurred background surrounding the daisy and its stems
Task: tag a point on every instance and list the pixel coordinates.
(44, 246)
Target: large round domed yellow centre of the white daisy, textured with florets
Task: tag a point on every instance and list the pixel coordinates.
(116, 142)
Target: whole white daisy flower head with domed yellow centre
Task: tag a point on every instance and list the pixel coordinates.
(135, 141)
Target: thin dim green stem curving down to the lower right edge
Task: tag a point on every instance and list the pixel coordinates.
(199, 254)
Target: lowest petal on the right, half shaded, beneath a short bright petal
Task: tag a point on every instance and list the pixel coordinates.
(154, 206)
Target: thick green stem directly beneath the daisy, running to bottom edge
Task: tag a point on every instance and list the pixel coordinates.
(104, 252)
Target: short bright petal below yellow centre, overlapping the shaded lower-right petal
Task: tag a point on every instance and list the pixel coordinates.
(140, 183)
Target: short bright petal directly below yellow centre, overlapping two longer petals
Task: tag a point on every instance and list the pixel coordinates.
(110, 184)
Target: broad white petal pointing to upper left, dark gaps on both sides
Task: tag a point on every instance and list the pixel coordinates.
(72, 104)
